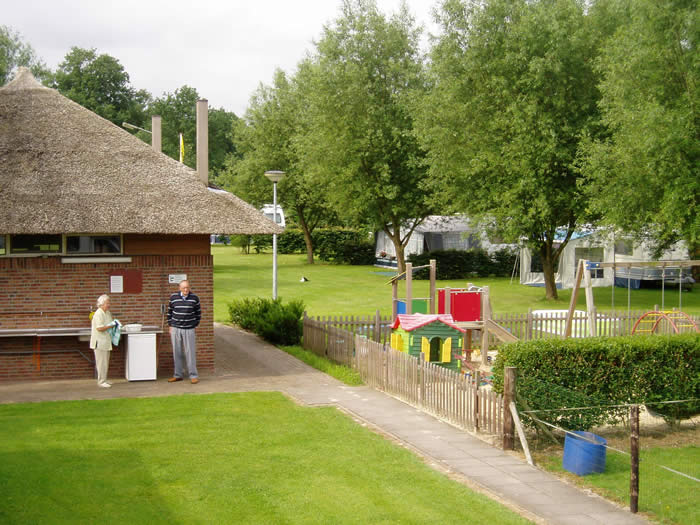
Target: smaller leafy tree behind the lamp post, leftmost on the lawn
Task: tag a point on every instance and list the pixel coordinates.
(268, 139)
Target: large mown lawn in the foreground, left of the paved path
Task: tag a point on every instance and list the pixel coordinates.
(222, 458)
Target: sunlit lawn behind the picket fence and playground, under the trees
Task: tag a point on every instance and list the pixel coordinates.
(359, 290)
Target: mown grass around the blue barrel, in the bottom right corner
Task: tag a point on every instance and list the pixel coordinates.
(663, 495)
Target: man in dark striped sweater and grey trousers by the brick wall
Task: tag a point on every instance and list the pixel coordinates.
(184, 314)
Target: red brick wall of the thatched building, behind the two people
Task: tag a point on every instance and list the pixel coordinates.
(45, 293)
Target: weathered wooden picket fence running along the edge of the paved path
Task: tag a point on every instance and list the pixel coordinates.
(450, 395)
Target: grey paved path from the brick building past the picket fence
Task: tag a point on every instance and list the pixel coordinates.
(245, 363)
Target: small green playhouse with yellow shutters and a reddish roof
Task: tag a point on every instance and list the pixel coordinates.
(436, 336)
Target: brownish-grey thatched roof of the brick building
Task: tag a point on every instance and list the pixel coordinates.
(64, 169)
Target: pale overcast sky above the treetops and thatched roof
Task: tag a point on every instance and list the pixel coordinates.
(222, 48)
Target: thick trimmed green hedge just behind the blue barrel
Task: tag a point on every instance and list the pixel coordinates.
(557, 373)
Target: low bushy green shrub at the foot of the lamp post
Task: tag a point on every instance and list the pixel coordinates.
(272, 320)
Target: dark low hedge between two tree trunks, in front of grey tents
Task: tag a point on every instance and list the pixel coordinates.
(462, 264)
